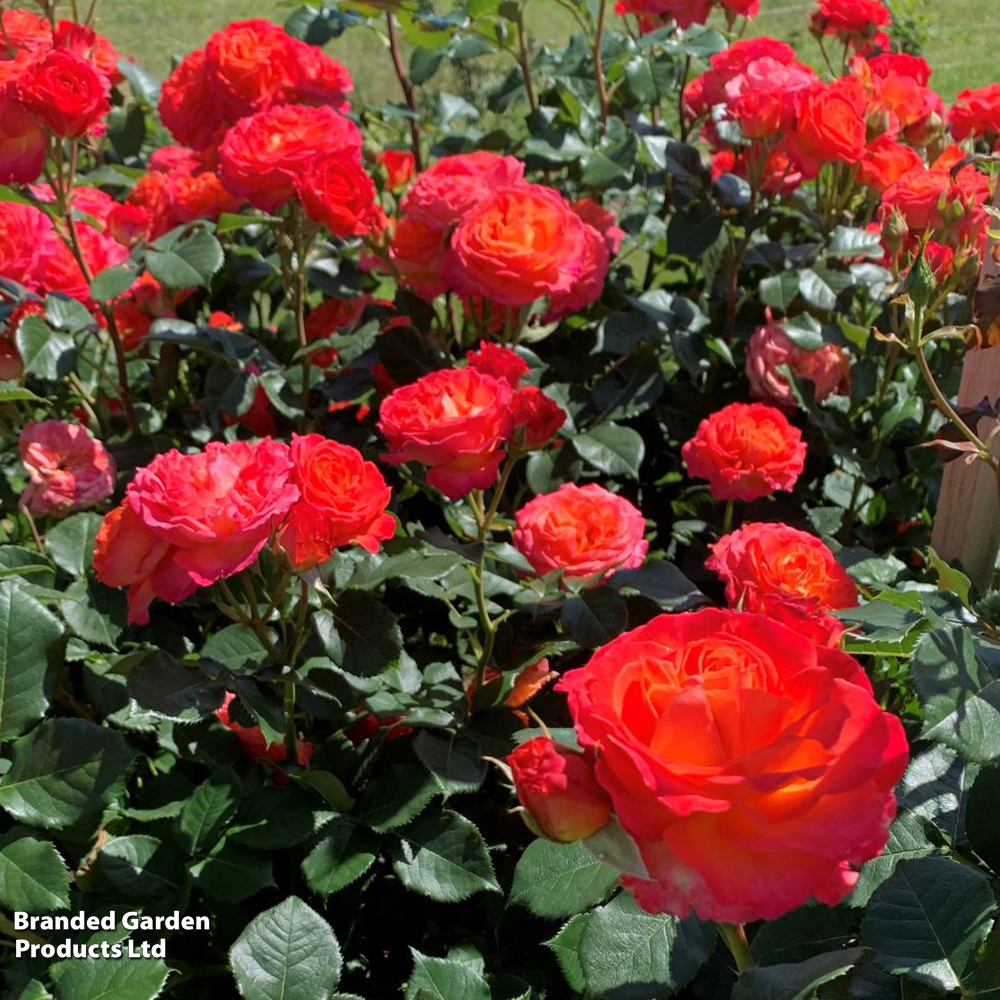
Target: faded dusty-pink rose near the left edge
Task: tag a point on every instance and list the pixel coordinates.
(68, 469)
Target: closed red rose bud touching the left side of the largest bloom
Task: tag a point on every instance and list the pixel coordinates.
(558, 789)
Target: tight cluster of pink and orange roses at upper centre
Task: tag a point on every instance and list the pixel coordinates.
(471, 224)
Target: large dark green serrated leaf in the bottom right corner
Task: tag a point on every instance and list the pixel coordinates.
(928, 919)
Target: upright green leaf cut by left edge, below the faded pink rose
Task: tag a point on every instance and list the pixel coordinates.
(27, 630)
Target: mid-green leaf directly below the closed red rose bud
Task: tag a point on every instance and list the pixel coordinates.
(560, 880)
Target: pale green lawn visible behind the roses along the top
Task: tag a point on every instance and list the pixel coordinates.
(959, 35)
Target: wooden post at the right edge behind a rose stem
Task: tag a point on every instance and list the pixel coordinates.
(967, 522)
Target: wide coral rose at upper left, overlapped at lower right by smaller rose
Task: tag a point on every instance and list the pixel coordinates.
(262, 155)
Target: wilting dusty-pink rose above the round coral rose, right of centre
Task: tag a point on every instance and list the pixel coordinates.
(771, 349)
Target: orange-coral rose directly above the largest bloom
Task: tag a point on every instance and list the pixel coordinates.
(759, 560)
